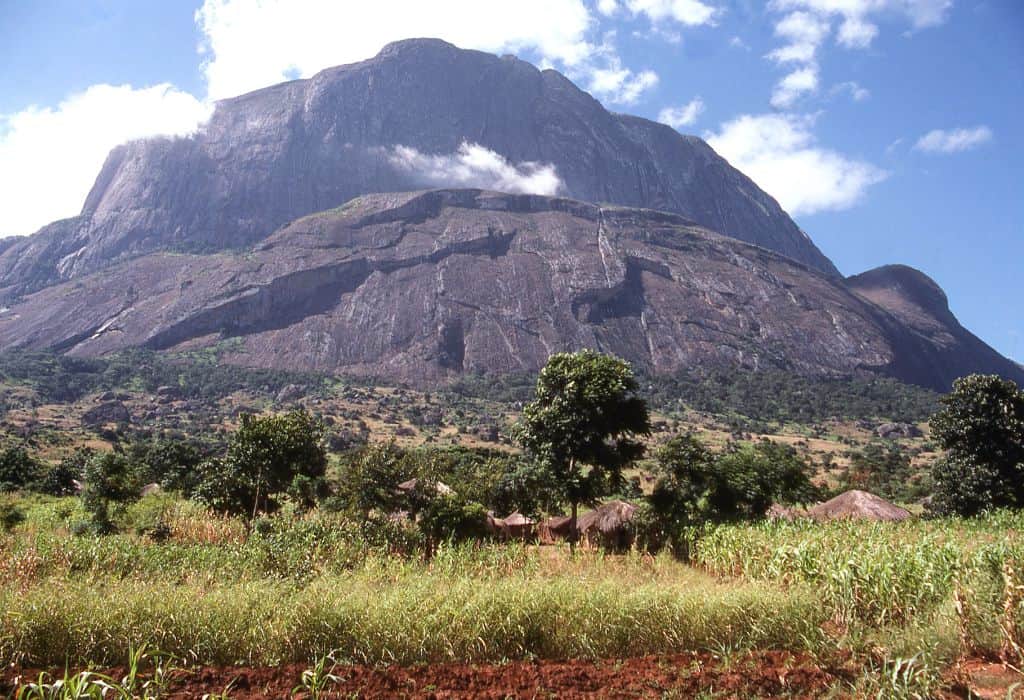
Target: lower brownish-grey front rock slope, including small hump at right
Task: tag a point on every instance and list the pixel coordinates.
(424, 286)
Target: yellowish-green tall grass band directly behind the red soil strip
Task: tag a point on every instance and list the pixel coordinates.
(404, 614)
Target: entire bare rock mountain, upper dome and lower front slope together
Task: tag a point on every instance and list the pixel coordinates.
(305, 224)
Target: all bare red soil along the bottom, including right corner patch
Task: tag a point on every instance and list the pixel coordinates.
(757, 675)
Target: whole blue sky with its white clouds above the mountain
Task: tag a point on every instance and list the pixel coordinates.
(889, 129)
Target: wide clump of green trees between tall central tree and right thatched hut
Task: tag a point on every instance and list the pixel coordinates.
(696, 488)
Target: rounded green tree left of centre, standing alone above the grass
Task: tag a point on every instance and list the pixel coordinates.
(268, 457)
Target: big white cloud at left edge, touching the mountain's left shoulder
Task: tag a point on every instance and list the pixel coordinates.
(51, 157)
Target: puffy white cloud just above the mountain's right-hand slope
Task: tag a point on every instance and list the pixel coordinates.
(779, 152)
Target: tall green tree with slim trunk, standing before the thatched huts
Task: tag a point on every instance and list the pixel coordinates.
(584, 424)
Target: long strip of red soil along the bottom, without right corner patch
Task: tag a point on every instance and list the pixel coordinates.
(761, 675)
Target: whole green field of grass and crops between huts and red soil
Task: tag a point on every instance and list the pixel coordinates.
(902, 603)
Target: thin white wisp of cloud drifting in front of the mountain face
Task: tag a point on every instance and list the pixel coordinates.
(477, 166)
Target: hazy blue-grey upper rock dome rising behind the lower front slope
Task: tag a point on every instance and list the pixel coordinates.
(272, 156)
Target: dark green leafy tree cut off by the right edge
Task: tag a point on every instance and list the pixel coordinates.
(982, 427)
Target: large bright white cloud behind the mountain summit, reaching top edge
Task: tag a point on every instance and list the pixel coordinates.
(250, 45)
